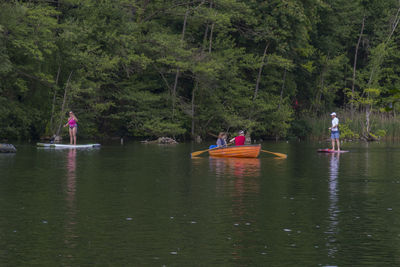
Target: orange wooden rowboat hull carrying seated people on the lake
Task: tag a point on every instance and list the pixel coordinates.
(249, 151)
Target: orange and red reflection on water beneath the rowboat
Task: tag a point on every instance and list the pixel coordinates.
(238, 167)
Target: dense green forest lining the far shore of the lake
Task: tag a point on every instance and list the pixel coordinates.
(189, 68)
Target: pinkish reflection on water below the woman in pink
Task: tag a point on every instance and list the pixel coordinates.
(70, 221)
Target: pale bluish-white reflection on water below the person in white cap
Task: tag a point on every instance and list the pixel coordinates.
(333, 209)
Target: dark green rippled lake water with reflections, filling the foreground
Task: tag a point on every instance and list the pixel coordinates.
(152, 205)
